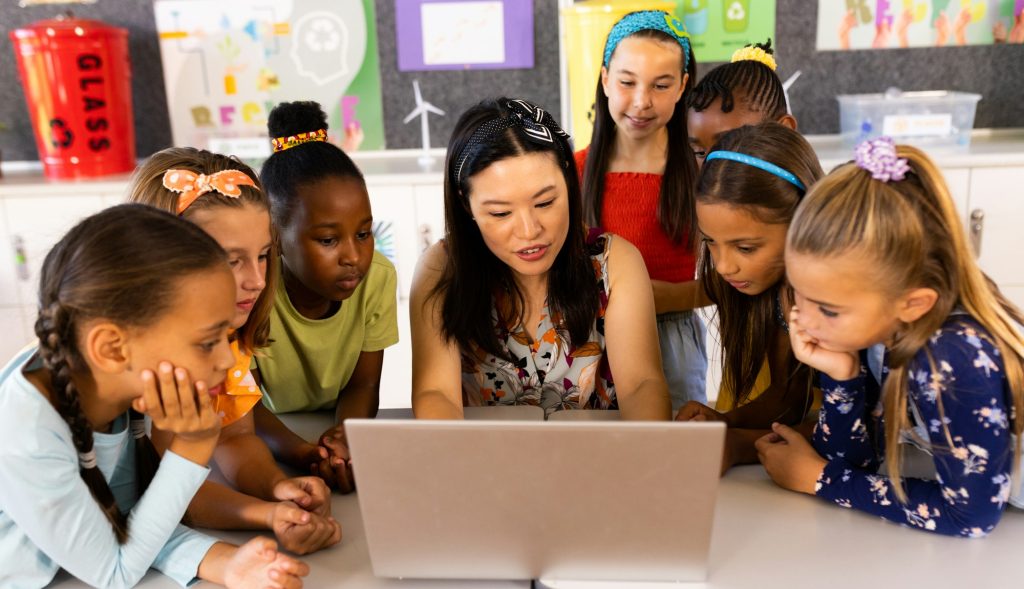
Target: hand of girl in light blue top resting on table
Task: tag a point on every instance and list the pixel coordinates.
(259, 564)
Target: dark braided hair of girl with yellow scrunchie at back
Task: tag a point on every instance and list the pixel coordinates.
(747, 81)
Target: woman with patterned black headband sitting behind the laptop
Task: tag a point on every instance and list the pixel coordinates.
(519, 305)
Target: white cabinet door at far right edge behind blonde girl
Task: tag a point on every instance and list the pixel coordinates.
(997, 223)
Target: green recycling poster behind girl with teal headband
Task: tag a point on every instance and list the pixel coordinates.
(718, 28)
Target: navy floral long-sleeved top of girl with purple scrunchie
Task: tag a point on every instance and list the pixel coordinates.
(964, 408)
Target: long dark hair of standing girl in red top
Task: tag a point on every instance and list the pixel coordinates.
(675, 208)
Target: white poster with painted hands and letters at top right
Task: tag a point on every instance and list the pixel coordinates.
(845, 25)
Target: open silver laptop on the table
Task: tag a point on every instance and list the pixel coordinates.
(559, 500)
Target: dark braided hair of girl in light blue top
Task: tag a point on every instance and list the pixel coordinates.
(107, 267)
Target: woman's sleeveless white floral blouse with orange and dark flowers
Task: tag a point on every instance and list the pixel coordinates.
(547, 370)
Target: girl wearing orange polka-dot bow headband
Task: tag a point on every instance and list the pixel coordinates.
(224, 197)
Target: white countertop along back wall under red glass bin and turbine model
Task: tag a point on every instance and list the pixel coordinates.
(990, 148)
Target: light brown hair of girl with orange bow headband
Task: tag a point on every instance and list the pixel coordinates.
(147, 188)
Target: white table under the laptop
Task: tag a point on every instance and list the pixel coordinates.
(763, 537)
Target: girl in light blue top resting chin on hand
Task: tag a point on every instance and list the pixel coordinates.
(125, 330)
